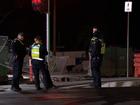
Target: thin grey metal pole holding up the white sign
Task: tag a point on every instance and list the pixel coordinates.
(128, 44)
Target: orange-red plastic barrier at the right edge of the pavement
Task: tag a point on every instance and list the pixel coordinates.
(137, 64)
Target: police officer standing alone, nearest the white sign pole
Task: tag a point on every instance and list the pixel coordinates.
(96, 51)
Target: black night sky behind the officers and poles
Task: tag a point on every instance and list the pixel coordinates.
(74, 20)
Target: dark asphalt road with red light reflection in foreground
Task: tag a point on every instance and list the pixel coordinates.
(70, 96)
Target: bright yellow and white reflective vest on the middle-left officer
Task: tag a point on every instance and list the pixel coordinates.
(35, 52)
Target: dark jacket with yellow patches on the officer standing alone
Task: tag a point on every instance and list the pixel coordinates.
(97, 47)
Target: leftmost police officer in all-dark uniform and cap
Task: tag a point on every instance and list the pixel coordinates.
(19, 52)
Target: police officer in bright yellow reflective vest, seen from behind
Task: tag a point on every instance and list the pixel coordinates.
(37, 53)
